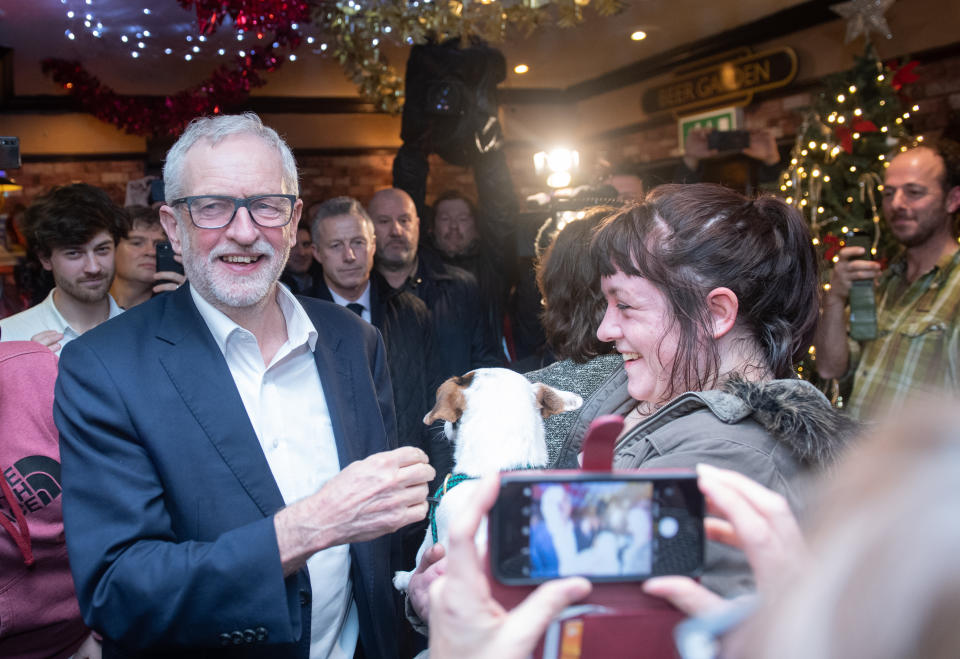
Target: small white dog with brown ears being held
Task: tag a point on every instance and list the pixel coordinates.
(494, 417)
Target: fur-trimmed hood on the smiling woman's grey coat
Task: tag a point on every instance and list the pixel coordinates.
(792, 410)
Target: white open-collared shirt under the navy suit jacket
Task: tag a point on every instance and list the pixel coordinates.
(289, 414)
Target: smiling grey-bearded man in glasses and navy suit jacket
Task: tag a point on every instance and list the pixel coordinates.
(231, 476)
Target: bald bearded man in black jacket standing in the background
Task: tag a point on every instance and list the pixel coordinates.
(462, 337)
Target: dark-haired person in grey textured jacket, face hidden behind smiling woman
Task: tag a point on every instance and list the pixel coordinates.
(569, 282)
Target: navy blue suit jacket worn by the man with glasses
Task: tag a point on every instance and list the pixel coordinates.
(169, 500)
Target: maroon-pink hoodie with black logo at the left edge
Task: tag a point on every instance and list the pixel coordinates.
(39, 616)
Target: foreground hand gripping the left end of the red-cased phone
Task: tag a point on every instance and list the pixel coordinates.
(466, 622)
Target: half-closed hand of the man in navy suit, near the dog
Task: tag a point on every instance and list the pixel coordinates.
(367, 499)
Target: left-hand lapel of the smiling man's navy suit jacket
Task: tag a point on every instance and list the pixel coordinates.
(200, 374)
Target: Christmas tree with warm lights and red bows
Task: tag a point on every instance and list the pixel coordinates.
(857, 123)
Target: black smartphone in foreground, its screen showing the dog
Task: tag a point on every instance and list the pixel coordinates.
(609, 527)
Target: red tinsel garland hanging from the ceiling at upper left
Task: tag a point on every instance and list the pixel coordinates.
(228, 84)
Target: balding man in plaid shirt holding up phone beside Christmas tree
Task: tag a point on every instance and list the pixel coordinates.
(918, 297)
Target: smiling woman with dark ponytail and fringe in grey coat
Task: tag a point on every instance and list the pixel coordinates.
(710, 300)
